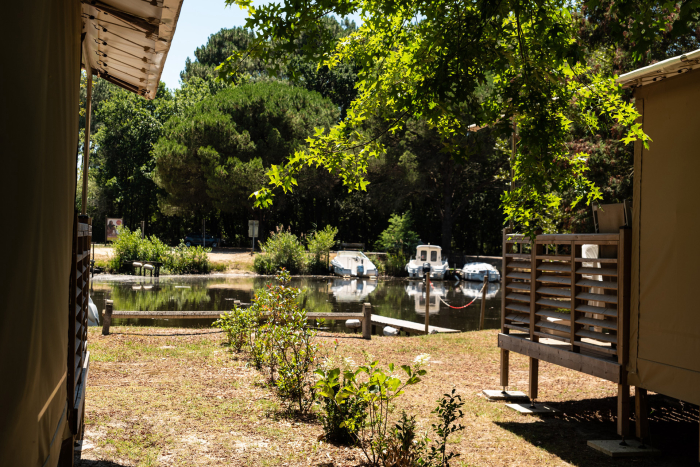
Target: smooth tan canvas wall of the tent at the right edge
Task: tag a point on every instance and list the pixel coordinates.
(667, 219)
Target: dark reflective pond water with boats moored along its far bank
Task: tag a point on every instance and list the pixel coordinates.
(402, 299)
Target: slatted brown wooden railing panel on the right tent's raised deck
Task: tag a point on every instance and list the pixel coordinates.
(550, 290)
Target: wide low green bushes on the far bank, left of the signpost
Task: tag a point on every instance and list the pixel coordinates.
(129, 246)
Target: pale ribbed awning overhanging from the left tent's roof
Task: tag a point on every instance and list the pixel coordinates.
(127, 41)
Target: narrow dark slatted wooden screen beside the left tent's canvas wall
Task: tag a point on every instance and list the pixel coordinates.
(77, 321)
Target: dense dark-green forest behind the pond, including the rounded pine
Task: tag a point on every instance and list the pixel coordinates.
(198, 152)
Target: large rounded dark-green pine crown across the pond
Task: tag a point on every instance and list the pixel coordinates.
(215, 154)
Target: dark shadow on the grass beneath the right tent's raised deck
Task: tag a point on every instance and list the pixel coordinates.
(673, 429)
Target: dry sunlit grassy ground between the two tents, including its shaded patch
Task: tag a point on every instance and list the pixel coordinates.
(179, 397)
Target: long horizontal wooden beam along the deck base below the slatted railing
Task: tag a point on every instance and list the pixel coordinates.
(595, 366)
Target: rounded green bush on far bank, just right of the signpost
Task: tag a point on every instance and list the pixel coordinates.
(281, 250)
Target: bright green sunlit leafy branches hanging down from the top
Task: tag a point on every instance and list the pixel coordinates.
(429, 59)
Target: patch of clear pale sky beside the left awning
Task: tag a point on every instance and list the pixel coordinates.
(198, 20)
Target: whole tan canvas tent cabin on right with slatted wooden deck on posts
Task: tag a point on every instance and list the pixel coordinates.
(629, 316)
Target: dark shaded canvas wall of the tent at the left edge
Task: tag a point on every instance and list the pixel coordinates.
(39, 139)
